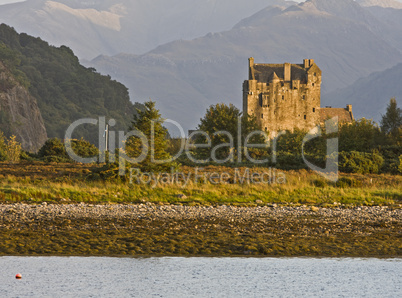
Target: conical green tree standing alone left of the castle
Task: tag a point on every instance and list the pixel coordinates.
(148, 121)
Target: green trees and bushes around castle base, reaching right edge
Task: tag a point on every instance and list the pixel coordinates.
(364, 146)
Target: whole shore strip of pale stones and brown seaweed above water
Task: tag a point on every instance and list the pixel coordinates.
(156, 230)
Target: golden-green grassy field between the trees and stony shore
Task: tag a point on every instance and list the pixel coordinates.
(68, 183)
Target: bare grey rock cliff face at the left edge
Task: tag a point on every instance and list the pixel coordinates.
(19, 113)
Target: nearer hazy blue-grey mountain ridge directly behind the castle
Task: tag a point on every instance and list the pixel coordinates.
(346, 40)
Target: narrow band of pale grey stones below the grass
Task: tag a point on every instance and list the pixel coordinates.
(31, 212)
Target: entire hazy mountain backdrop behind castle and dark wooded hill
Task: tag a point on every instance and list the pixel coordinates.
(349, 40)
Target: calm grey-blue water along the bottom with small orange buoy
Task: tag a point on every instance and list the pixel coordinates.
(199, 277)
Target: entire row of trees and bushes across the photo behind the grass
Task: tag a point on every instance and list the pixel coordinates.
(364, 146)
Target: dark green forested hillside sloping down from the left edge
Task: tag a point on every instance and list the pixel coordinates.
(65, 90)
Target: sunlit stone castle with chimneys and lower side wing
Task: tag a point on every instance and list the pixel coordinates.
(287, 97)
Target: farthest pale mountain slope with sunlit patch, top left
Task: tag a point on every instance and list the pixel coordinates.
(109, 27)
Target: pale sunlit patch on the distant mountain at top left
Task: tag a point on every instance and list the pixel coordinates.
(109, 19)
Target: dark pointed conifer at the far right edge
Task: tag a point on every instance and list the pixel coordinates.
(391, 122)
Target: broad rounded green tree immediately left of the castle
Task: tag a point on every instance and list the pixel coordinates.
(221, 125)
